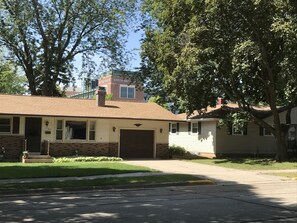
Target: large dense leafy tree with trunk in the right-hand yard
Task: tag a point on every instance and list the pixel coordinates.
(243, 51)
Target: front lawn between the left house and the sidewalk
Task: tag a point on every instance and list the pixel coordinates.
(37, 170)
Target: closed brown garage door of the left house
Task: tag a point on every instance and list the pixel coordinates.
(137, 144)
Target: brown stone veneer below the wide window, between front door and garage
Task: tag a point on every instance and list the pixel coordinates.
(83, 149)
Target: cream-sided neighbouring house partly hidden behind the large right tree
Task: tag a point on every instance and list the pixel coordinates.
(201, 134)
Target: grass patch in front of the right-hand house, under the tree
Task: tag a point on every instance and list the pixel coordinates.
(248, 164)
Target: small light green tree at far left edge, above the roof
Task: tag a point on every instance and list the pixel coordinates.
(10, 81)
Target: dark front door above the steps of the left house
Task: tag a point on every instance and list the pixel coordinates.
(33, 134)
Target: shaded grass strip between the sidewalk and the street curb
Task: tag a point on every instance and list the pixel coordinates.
(130, 181)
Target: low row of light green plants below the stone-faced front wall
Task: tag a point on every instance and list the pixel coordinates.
(86, 159)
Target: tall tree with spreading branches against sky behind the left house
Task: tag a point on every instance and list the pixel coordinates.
(45, 36)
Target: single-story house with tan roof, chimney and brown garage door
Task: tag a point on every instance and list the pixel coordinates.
(65, 127)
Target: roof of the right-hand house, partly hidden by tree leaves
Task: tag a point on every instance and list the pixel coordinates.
(220, 111)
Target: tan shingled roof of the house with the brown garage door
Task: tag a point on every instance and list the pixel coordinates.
(70, 107)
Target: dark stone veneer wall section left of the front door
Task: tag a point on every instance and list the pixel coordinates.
(13, 146)
